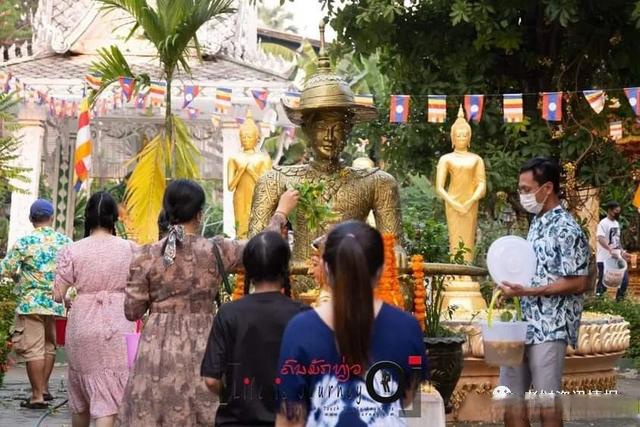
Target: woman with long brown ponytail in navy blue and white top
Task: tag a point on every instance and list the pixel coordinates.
(329, 353)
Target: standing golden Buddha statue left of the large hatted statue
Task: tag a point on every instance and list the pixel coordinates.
(243, 171)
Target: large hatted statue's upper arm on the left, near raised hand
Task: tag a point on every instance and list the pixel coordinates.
(265, 201)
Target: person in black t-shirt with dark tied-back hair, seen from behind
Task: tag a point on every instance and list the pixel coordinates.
(245, 338)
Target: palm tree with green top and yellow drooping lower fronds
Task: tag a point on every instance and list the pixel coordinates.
(171, 27)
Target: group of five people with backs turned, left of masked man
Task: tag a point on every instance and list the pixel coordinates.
(195, 366)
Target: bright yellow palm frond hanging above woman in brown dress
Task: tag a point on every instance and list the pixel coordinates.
(145, 189)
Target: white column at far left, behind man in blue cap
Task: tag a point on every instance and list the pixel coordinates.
(31, 134)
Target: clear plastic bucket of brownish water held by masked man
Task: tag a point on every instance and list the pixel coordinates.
(504, 343)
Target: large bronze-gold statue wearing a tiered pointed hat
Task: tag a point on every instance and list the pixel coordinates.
(326, 113)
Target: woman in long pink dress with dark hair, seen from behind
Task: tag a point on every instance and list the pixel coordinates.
(97, 266)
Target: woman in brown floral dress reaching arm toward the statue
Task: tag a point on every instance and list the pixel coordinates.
(176, 280)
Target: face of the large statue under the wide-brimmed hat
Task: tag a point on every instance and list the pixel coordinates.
(327, 132)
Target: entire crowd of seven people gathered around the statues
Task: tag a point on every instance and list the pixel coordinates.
(266, 359)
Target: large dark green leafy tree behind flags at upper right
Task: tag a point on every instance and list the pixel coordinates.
(495, 47)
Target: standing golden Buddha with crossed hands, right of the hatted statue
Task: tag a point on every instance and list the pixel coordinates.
(467, 185)
